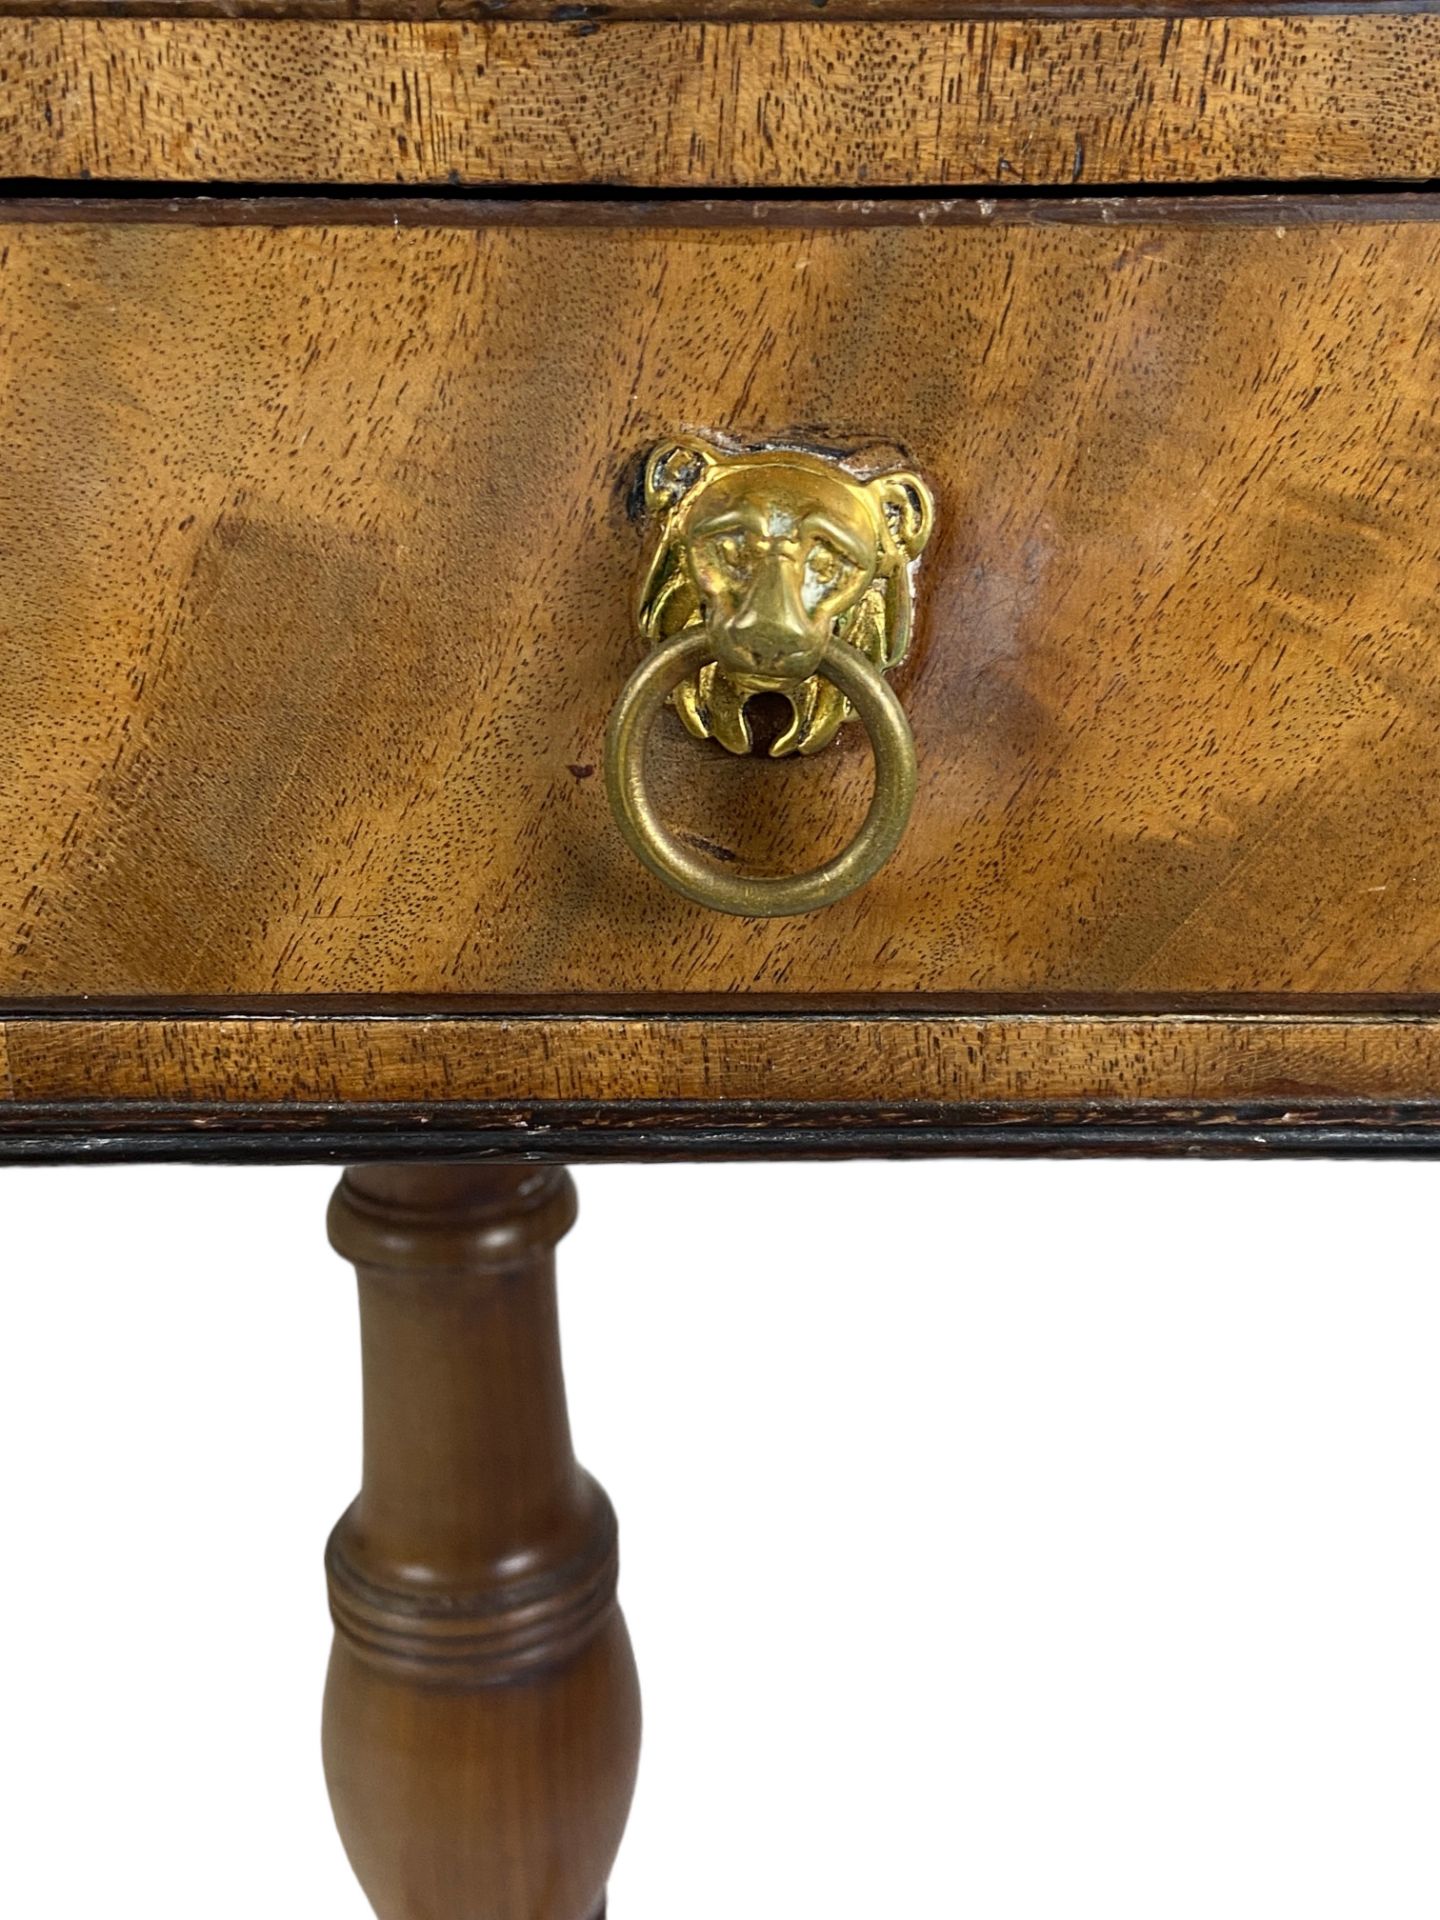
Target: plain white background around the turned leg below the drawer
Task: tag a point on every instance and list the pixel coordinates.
(1001, 1541)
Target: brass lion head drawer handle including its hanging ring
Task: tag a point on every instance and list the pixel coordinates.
(773, 573)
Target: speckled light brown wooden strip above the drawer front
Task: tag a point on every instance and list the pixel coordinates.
(723, 105)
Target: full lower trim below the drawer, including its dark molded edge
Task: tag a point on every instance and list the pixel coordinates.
(765, 1086)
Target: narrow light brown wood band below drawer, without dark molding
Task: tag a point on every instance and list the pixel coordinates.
(821, 1061)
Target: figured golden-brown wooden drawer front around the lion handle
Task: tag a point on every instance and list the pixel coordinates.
(318, 581)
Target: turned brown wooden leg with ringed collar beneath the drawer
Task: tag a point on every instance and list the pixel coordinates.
(483, 1714)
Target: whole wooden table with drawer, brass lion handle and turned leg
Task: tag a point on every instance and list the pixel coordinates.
(398, 410)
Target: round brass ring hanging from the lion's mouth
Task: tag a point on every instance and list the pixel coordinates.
(742, 894)
